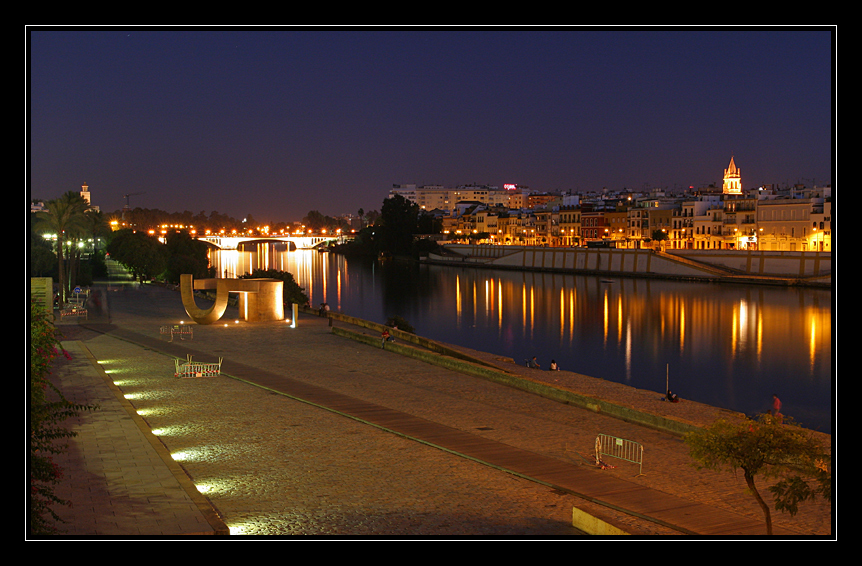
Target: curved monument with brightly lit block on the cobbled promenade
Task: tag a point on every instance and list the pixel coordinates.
(260, 299)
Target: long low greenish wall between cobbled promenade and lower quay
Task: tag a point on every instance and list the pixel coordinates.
(438, 354)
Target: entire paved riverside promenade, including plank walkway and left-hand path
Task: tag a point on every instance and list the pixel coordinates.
(309, 432)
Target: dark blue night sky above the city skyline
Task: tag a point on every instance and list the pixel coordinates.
(275, 123)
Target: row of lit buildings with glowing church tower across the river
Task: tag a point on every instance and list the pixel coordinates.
(767, 218)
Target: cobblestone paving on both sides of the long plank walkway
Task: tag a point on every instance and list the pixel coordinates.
(272, 465)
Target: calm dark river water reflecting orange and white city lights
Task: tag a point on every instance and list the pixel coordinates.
(729, 346)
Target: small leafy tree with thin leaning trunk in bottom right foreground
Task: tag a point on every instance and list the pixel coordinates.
(771, 448)
